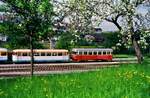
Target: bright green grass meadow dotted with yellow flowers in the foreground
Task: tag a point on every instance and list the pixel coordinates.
(126, 81)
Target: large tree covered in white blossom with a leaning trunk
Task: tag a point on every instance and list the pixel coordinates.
(84, 14)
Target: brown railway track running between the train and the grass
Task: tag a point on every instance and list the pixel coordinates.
(24, 69)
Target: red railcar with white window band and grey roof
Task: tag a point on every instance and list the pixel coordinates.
(94, 54)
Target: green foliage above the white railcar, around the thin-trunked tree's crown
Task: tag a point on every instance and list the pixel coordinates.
(32, 18)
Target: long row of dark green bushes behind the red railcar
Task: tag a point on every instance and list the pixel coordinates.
(110, 41)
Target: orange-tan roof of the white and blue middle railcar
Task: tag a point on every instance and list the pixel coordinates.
(40, 50)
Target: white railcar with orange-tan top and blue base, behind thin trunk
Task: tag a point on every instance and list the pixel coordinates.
(40, 55)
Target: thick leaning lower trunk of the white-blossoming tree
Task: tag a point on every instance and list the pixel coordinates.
(137, 51)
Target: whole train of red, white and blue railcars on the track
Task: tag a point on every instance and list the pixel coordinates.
(56, 55)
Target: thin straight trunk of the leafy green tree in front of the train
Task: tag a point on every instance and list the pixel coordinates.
(31, 54)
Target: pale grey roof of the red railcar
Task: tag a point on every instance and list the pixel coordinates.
(92, 49)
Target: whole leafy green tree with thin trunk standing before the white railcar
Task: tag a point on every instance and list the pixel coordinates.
(33, 19)
